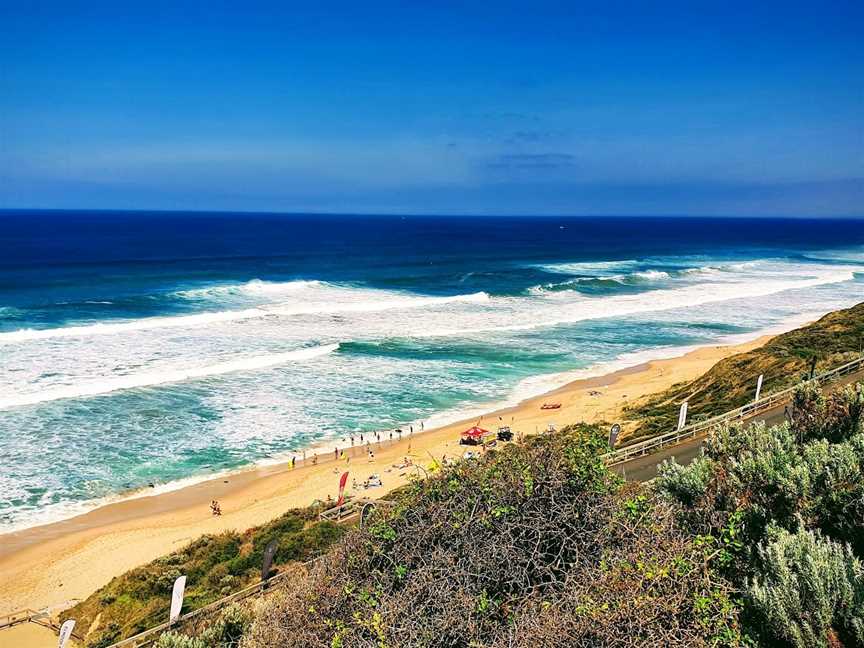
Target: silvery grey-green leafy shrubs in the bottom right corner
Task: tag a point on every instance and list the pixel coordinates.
(787, 504)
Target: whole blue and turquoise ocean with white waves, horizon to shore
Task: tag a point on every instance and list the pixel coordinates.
(142, 348)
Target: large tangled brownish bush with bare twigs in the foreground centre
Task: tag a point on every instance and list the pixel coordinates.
(537, 545)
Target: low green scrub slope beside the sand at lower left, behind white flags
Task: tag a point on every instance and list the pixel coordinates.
(215, 565)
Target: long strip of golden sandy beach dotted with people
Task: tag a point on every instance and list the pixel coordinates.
(52, 565)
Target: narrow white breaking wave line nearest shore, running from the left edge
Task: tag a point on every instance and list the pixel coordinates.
(147, 379)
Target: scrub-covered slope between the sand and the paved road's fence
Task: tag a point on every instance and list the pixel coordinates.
(785, 360)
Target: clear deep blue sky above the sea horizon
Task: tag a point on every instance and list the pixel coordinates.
(436, 107)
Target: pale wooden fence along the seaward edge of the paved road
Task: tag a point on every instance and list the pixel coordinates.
(738, 414)
